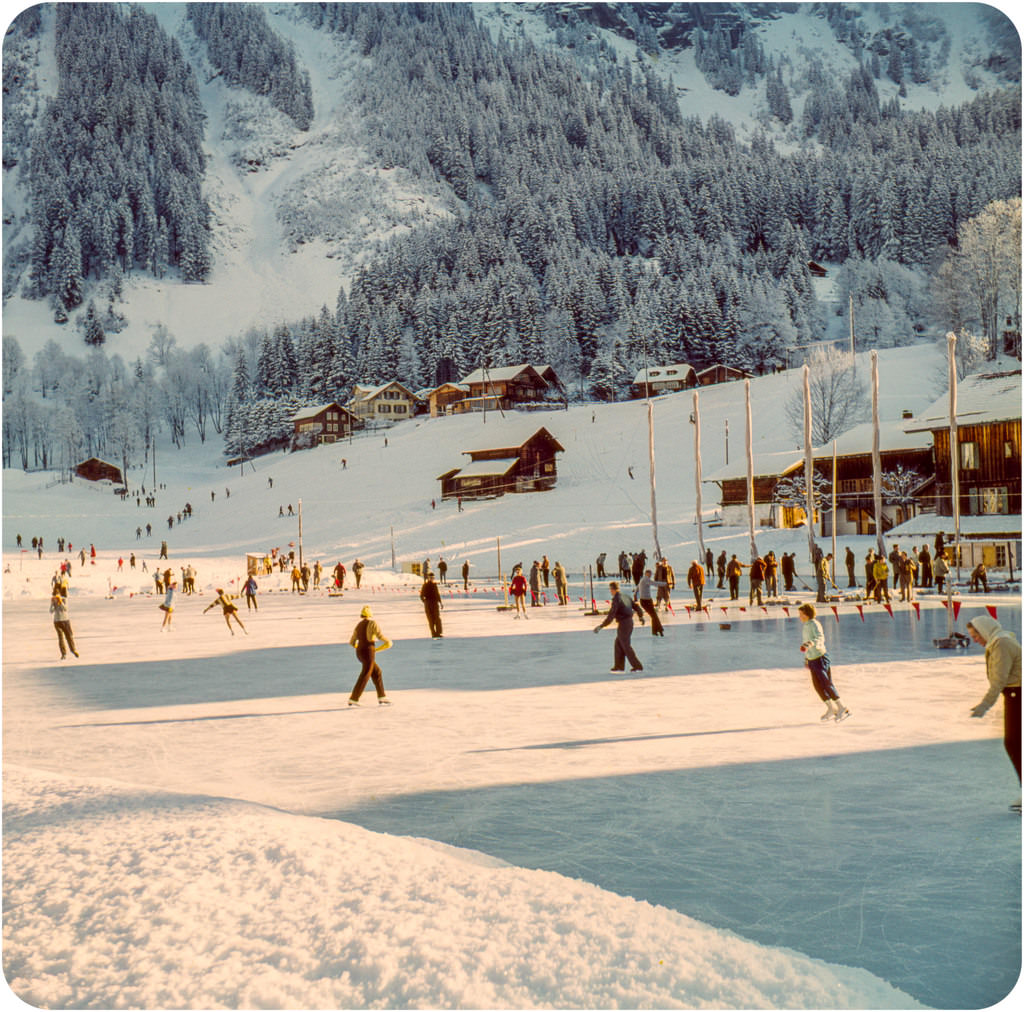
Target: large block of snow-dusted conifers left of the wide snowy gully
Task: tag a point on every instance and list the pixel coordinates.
(116, 166)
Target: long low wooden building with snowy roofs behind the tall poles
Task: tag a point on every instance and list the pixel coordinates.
(855, 487)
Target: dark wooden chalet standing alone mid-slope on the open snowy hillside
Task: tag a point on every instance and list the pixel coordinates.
(529, 467)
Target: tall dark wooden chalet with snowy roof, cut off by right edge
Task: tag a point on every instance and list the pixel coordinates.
(989, 437)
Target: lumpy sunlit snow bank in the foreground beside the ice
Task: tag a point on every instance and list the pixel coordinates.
(133, 899)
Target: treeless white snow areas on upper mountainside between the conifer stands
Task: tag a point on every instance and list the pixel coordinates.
(296, 213)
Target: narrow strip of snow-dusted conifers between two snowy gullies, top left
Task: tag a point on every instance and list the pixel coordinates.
(247, 52)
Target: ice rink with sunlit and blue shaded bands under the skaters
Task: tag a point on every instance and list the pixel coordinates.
(706, 785)
